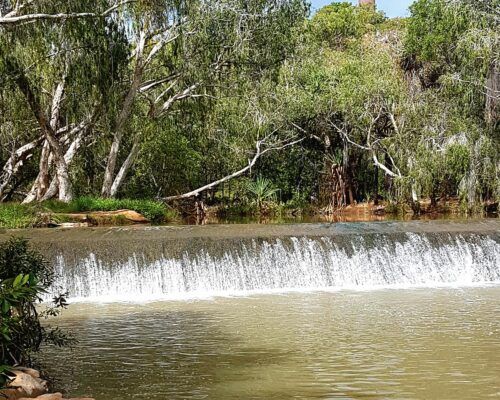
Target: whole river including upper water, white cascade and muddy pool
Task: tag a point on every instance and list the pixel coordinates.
(388, 310)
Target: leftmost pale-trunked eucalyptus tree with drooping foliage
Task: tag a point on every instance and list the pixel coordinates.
(62, 70)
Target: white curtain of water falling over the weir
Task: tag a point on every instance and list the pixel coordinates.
(254, 265)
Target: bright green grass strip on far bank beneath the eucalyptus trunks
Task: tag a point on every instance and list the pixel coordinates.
(15, 216)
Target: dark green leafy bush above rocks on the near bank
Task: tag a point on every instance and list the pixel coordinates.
(24, 278)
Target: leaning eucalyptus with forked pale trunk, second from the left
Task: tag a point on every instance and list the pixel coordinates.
(187, 50)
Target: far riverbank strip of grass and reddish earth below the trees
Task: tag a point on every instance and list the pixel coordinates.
(88, 211)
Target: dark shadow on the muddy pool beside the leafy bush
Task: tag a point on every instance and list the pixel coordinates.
(167, 355)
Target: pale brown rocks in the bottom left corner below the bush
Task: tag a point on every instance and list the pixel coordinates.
(27, 384)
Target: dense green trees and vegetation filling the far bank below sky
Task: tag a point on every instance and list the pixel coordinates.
(244, 103)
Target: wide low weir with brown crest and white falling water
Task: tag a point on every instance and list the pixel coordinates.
(153, 263)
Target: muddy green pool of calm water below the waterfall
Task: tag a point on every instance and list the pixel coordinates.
(388, 344)
